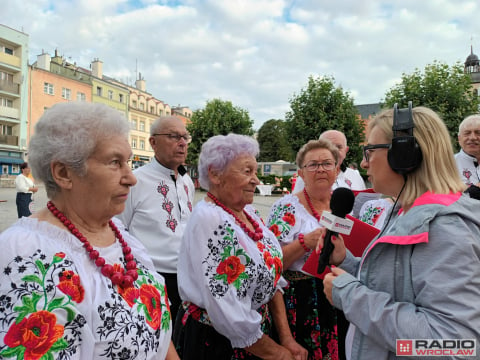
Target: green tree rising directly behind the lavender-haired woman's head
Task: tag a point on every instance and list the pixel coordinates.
(217, 118)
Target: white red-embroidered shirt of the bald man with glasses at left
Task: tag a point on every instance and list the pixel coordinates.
(157, 211)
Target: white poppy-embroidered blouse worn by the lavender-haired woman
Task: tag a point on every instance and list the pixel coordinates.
(226, 273)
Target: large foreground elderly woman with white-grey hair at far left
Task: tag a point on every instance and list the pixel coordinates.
(73, 283)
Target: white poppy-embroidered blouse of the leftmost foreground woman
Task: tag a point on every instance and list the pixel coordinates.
(48, 278)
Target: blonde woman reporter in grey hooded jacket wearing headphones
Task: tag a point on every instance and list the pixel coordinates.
(418, 280)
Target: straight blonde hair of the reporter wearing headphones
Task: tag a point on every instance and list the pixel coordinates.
(438, 171)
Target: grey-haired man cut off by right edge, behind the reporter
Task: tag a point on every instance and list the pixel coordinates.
(468, 157)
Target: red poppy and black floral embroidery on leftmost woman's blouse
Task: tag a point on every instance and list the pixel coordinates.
(31, 311)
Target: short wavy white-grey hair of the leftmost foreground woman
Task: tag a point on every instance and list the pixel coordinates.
(68, 133)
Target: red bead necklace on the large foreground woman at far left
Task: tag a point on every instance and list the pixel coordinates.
(122, 278)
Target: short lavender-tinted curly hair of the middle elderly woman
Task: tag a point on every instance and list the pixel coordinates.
(218, 151)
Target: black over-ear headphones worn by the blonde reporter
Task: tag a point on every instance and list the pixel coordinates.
(404, 155)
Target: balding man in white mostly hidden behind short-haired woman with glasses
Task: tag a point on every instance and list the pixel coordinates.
(346, 177)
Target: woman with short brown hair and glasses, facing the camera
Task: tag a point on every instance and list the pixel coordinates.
(294, 220)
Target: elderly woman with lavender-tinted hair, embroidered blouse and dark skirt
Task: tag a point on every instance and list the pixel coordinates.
(230, 265)
